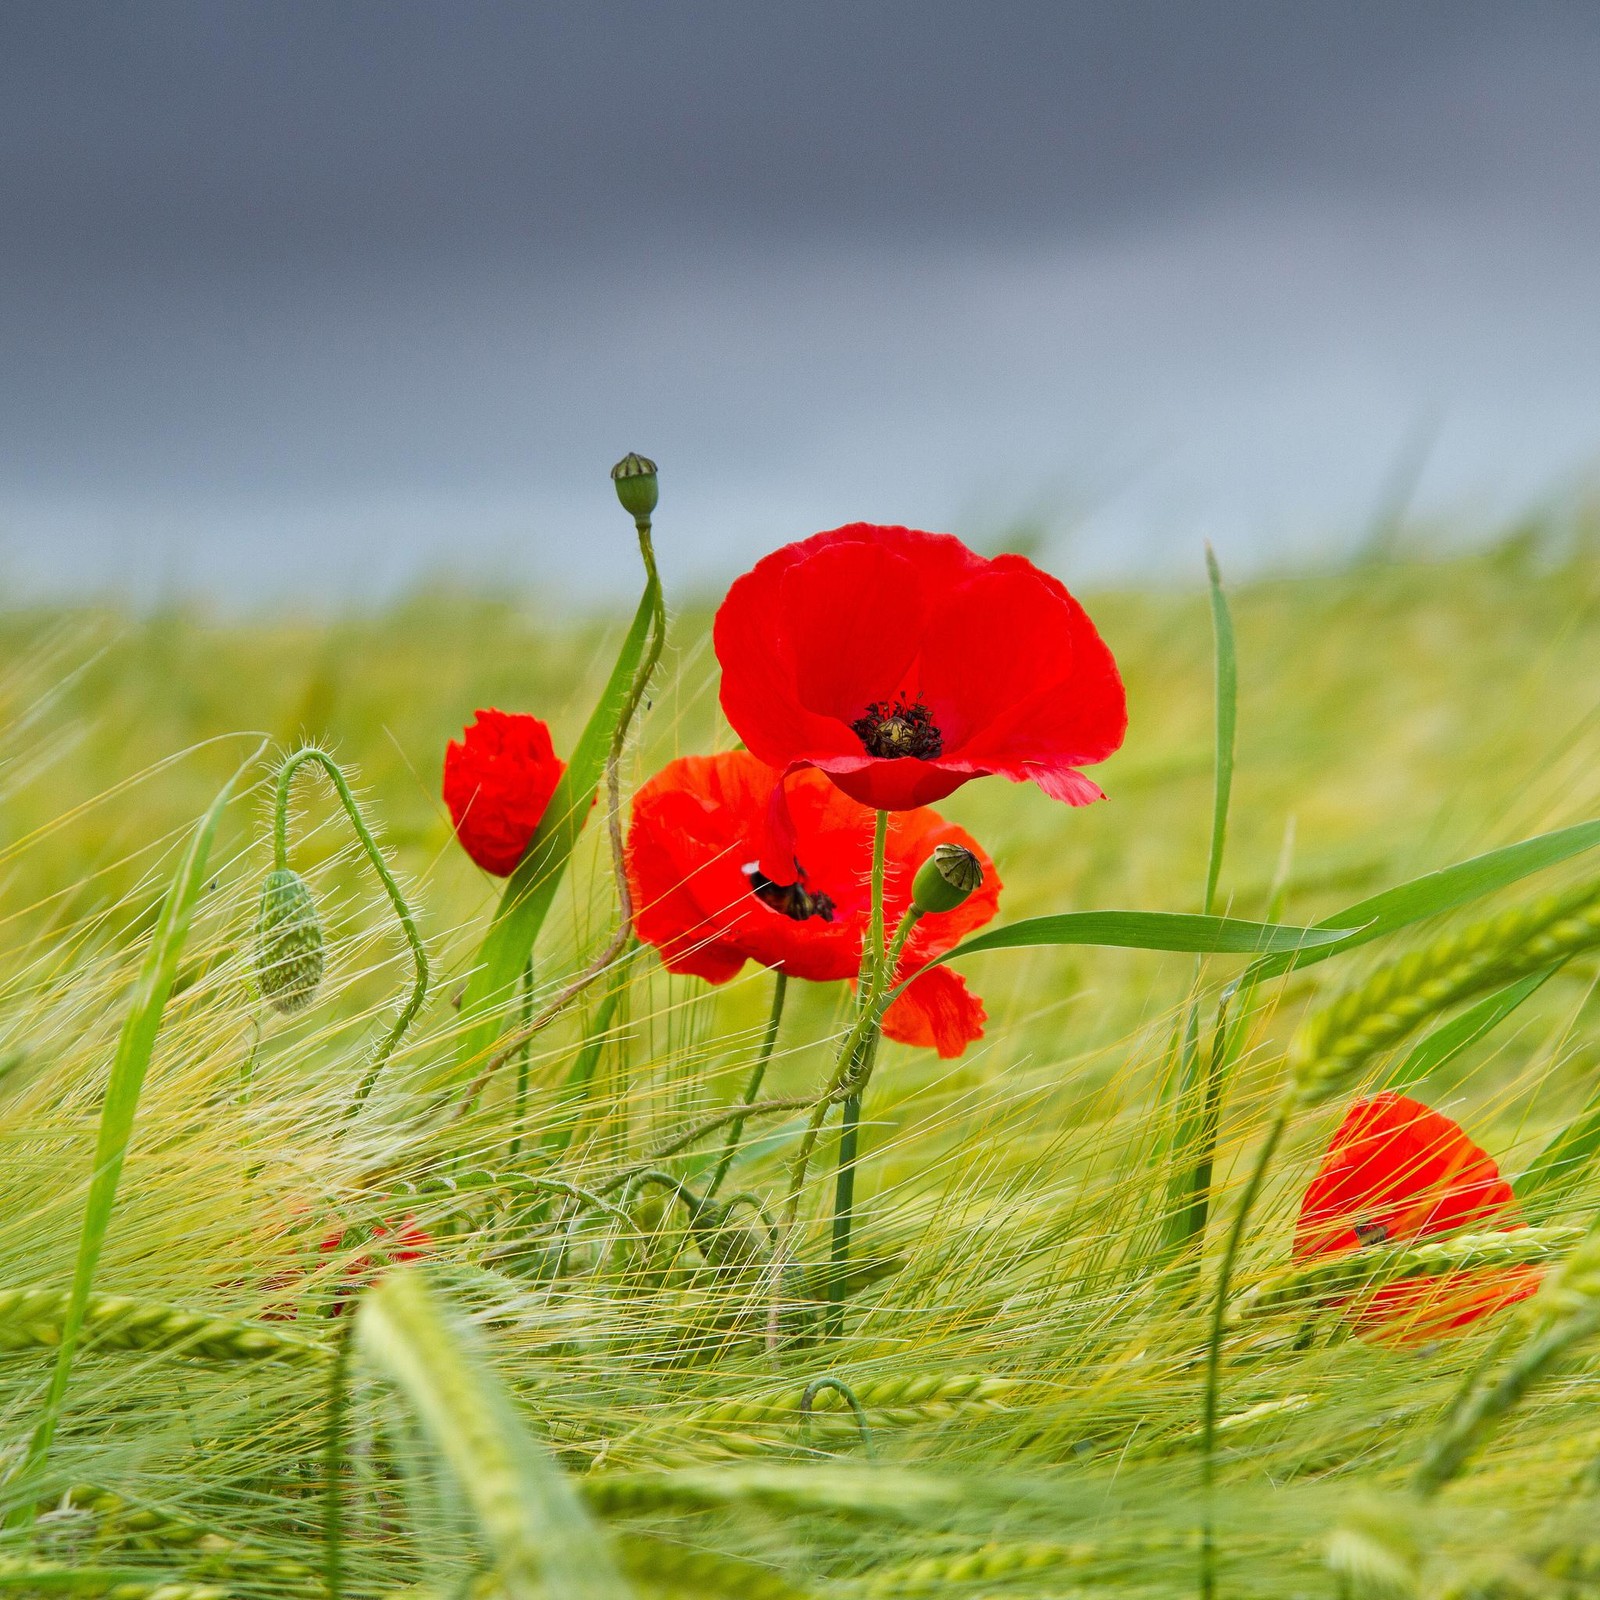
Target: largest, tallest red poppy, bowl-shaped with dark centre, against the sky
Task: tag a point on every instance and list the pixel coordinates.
(903, 665)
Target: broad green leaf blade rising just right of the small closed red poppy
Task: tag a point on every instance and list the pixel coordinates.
(532, 887)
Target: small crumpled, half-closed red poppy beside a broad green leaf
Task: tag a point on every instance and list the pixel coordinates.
(498, 780)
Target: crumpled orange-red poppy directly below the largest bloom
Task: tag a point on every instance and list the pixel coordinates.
(698, 834)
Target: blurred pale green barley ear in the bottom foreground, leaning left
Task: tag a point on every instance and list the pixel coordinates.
(540, 1535)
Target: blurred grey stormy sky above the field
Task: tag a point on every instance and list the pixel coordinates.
(318, 298)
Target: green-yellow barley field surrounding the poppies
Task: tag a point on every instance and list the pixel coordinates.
(591, 1386)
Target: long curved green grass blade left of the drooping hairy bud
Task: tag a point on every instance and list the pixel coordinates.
(135, 1049)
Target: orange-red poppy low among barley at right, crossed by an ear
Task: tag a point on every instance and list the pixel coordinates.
(1396, 1172)
